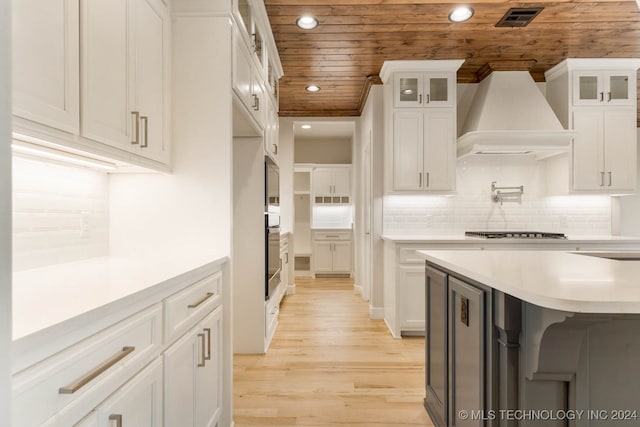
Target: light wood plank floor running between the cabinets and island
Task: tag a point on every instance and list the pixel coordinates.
(330, 365)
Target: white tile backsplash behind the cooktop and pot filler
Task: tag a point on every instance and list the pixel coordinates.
(473, 209)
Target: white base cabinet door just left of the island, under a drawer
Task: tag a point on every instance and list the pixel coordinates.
(411, 297)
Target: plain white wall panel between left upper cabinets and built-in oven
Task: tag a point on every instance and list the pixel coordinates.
(190, 209)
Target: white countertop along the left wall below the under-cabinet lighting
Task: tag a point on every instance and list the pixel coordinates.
(48, 296)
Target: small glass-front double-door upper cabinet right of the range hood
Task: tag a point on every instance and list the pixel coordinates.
(604, 88)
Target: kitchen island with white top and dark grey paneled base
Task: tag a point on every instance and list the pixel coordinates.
(531, 338)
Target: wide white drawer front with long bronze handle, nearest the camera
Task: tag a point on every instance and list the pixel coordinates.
(66, 386)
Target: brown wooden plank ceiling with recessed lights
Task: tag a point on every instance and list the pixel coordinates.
(344, 54)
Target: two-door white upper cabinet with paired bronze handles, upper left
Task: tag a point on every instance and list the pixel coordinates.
(124, 75)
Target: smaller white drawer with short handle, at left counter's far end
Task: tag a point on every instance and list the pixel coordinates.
(187, 307)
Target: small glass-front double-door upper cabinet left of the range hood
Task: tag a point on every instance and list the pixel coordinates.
(435, 89)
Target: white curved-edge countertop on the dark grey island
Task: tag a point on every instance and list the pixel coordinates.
(557, 280)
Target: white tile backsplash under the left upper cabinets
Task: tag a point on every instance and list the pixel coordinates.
(60, 213)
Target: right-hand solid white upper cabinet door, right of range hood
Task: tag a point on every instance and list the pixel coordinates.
(620, 150)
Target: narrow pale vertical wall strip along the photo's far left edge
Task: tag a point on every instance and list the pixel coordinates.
(5, 212)
